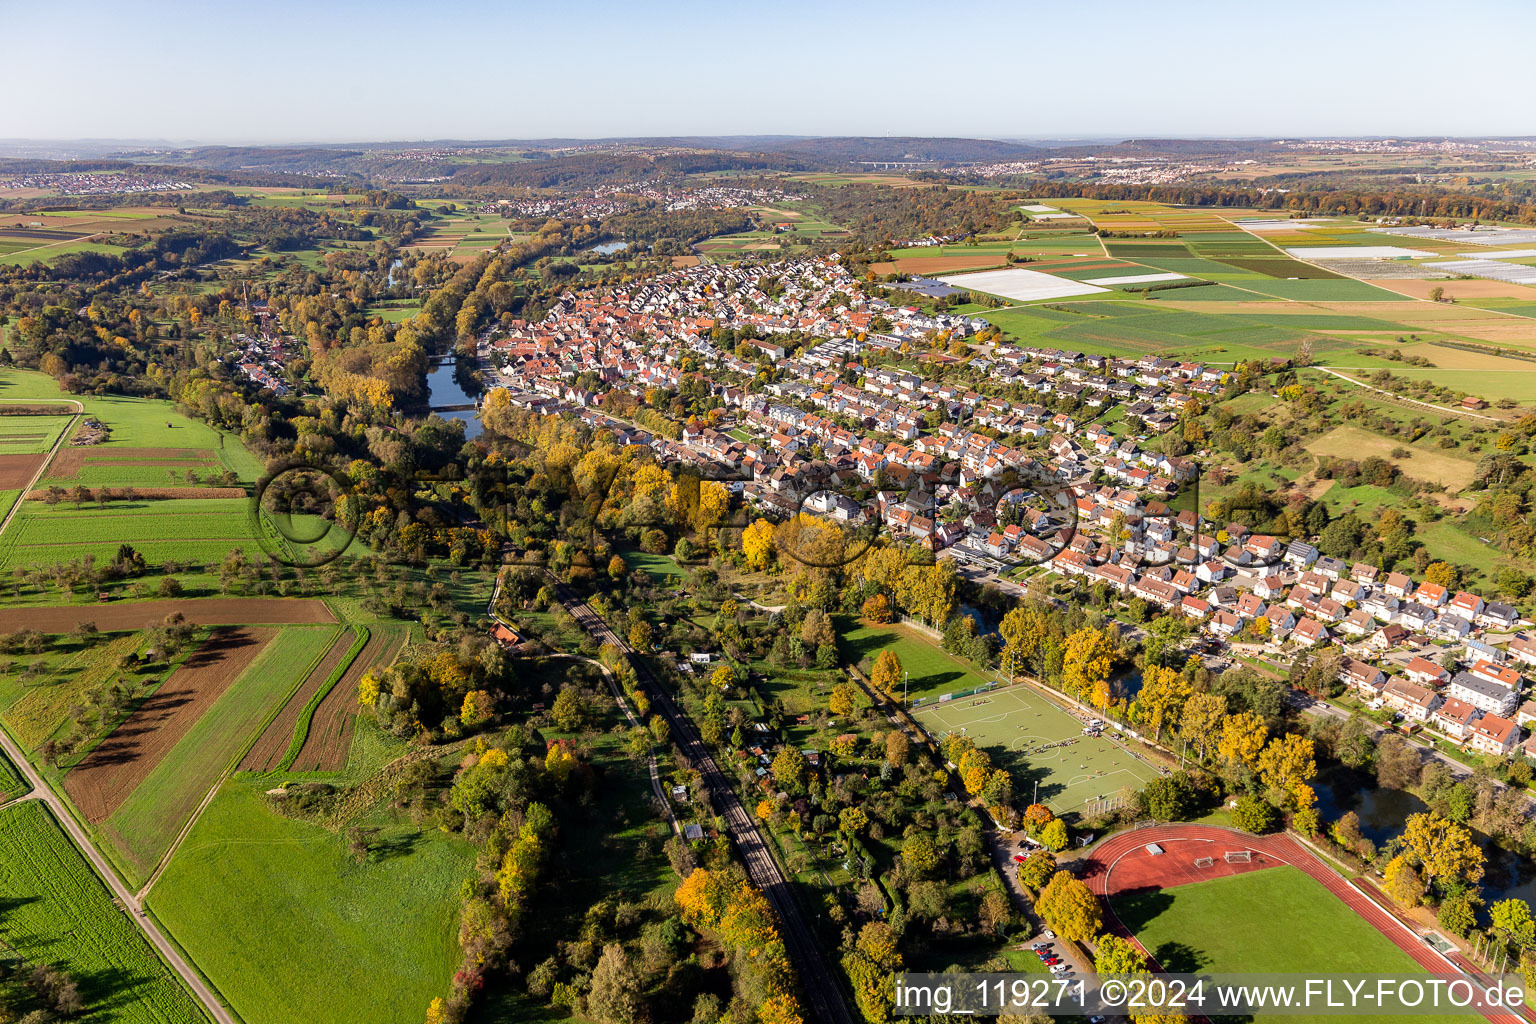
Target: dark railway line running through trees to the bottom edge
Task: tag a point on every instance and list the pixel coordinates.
(821, 986)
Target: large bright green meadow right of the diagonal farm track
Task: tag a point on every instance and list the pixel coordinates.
(290, 927)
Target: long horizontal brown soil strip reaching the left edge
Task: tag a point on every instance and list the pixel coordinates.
(139, 615)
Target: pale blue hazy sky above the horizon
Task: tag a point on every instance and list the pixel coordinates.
(349, 71)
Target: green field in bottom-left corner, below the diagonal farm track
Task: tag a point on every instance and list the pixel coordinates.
(58, 911)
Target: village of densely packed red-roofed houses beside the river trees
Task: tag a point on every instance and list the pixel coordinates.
(812, 421)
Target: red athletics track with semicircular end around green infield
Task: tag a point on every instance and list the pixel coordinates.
(1122, 865)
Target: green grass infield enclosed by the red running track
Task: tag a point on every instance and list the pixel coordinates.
(1214, 927)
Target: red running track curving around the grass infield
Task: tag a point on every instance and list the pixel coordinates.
(1177, 839)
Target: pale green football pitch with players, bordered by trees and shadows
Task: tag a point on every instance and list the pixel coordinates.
(1042, 744)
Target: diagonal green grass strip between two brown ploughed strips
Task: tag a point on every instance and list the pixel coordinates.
(151, 819)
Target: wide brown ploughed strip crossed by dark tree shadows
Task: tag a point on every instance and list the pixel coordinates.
(101, 784)
